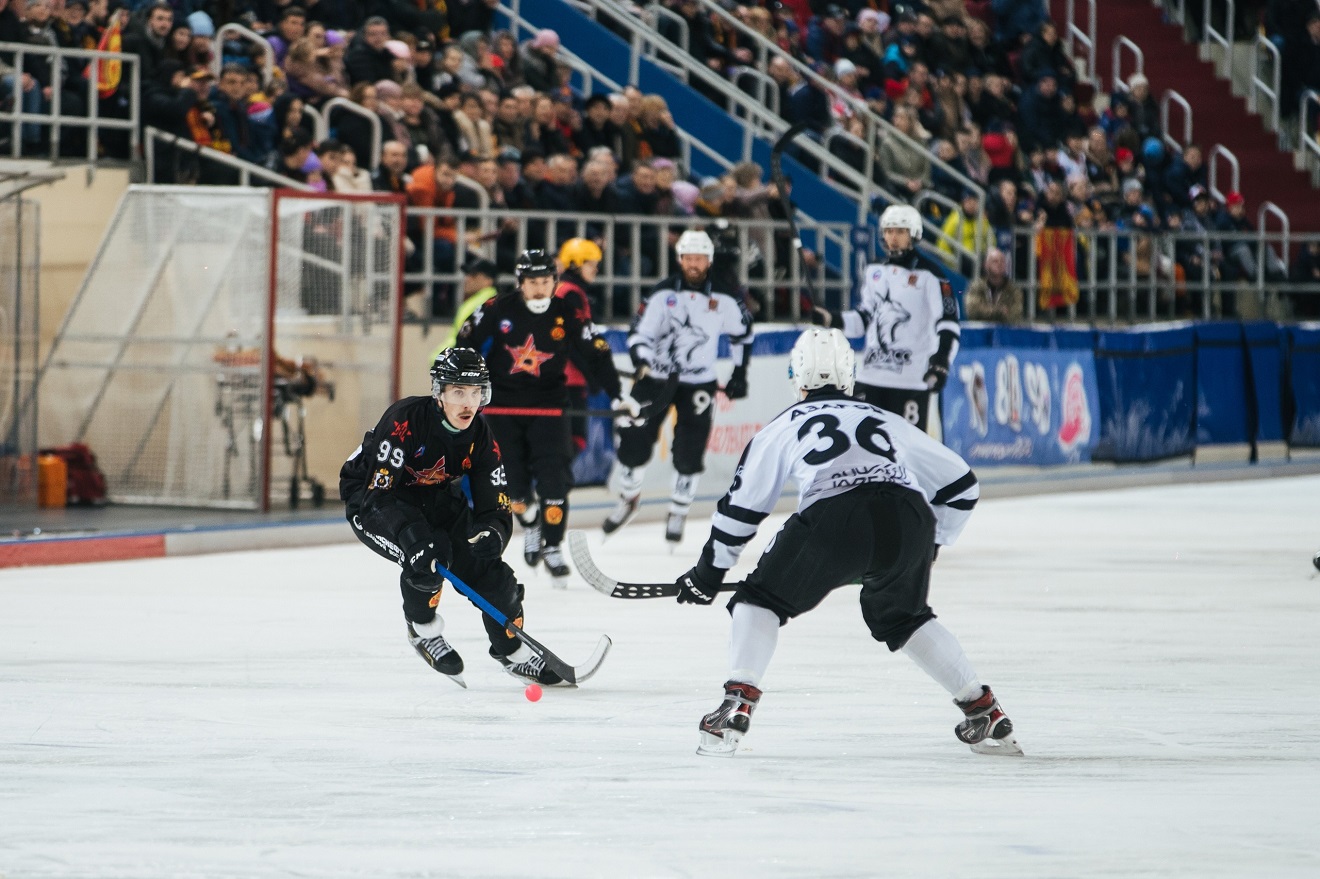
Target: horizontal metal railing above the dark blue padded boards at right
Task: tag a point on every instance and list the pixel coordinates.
(1137, 277)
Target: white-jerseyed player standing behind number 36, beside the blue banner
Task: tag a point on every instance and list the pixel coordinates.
(910, 321)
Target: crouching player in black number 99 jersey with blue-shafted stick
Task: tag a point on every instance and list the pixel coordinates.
(405, 500)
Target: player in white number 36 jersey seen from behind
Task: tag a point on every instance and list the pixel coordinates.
(877, 498)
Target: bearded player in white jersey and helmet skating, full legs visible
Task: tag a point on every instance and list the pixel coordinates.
(674, 345)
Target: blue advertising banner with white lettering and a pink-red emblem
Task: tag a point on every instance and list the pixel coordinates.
(1022, 407)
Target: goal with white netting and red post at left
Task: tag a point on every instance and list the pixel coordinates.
(218, 332)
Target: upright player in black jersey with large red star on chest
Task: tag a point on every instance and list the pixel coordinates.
(530, 336)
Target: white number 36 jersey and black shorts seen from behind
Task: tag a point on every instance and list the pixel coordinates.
(876, 497)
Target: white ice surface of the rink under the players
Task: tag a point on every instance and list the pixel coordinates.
(262, 715)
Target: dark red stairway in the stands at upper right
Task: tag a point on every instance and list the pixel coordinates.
(1218, 115)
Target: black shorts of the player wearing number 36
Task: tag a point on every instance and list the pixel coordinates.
(882, 535)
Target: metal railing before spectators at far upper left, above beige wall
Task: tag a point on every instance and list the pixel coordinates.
(93, 122)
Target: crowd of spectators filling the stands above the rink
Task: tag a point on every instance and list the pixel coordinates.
(472, 117)
